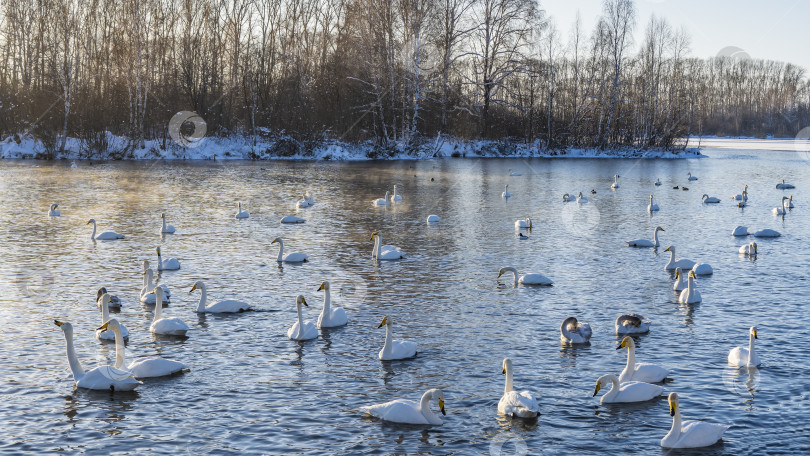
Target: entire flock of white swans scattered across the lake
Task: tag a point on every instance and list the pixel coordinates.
(637, 382)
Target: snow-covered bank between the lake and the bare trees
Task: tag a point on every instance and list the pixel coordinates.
(287, 148)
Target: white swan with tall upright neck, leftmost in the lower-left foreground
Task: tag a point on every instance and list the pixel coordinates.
(105, 377)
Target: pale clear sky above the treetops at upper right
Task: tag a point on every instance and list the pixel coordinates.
(767, 29)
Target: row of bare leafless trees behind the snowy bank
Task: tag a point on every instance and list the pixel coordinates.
(389, 73)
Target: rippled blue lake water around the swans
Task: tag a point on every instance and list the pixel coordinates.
(252, 390)
